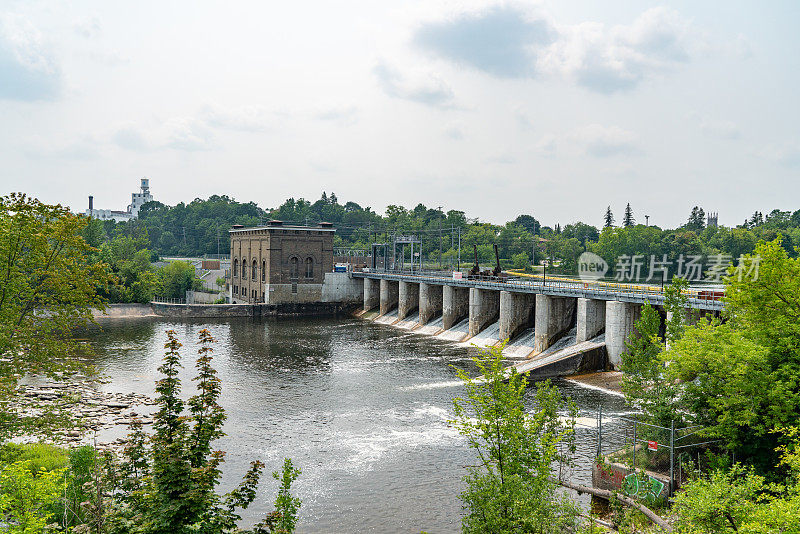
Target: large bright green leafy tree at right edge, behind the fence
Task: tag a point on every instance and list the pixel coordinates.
(739, 379)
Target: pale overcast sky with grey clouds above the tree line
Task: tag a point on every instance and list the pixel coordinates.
(555, 108)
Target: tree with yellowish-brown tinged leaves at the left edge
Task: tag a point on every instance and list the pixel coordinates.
(45, 265)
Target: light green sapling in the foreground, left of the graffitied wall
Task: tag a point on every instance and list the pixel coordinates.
(510, 489)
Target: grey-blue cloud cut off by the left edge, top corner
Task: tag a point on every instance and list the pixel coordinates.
(28, 68)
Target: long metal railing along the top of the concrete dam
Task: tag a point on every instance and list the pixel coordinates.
(556, 287)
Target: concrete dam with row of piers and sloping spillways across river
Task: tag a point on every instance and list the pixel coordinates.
(555, 328)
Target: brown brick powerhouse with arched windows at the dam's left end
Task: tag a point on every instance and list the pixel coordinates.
(277, 263)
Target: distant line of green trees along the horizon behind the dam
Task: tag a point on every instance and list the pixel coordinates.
(200, 228)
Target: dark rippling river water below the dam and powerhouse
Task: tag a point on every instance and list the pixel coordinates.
(361, 408)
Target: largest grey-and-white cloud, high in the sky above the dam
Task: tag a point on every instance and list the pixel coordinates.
(521, 43)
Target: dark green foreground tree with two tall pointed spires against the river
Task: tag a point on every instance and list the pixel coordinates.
(169, 487)
